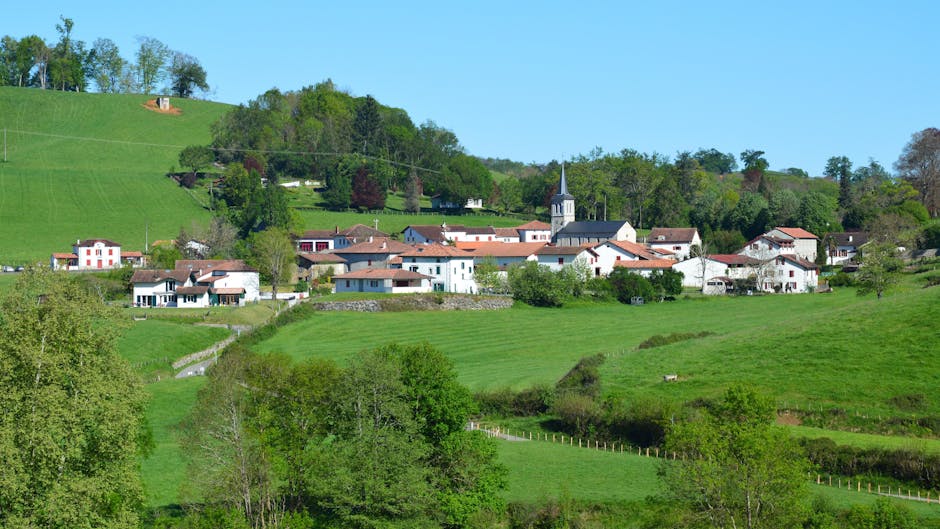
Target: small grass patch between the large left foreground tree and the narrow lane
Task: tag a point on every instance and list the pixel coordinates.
(152, 346)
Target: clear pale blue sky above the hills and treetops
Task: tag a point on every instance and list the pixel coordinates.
(535, 81)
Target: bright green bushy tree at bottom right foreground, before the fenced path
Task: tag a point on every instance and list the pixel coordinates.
(737, 468)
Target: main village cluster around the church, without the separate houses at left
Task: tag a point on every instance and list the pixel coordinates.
(442, 258)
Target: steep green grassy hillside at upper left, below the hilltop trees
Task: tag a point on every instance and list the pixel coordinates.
(92, 165)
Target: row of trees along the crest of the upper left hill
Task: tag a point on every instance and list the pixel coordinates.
(70, 64)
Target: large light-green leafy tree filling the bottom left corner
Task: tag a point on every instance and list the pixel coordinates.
(72, 428)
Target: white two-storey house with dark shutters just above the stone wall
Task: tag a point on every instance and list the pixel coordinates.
(449, 269)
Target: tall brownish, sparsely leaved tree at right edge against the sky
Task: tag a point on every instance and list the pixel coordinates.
(919, 164)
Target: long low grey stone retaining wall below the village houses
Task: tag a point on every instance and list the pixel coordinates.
(419, 303)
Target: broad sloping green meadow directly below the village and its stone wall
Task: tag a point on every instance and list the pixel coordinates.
(828, 349)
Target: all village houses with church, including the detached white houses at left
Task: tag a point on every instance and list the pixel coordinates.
(428, 258)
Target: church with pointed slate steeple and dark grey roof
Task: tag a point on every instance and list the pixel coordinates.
(566, 231)
